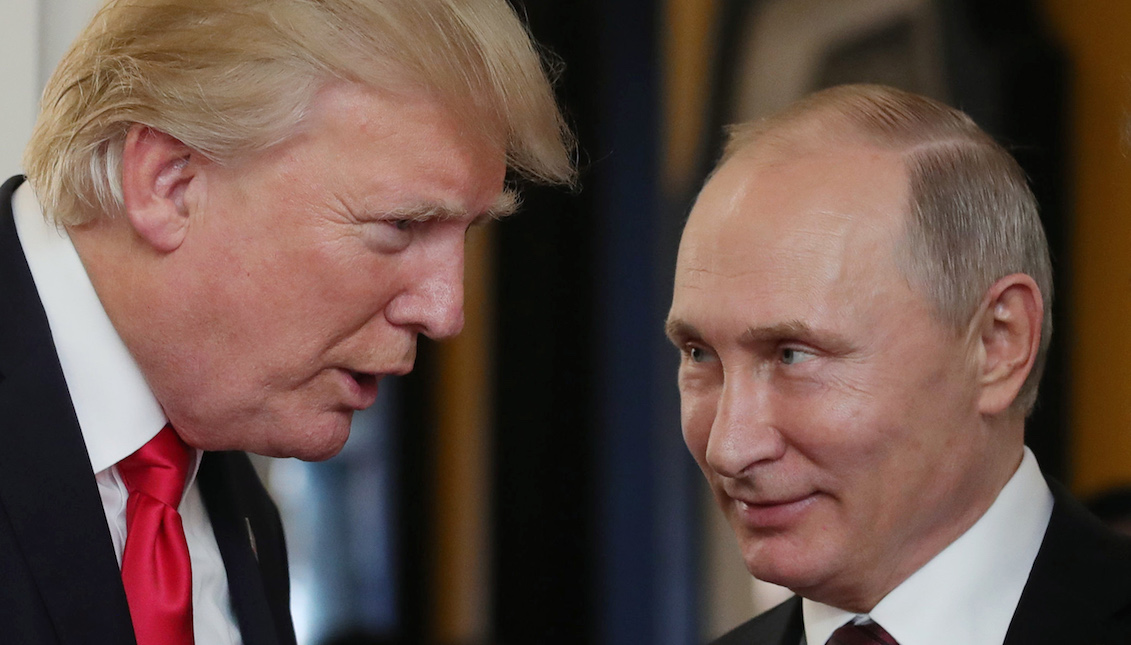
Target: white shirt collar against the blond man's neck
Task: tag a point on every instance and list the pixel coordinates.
(116, 410)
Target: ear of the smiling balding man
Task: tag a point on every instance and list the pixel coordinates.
(1009, 338)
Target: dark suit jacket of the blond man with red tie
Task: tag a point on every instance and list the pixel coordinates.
(59, 578)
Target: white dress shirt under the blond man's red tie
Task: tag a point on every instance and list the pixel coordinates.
(117, 412)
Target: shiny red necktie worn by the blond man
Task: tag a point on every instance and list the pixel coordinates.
(156, 564)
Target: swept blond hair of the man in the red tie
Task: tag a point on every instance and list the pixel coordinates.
(232, 79)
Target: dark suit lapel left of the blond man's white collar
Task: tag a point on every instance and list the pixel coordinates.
(46, 480)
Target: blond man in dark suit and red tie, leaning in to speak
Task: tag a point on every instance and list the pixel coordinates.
(238, 218)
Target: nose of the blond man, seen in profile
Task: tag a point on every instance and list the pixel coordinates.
(433, 303)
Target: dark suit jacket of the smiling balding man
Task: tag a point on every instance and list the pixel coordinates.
(1078, 594)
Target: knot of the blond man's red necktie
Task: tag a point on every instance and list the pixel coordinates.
(159, 469)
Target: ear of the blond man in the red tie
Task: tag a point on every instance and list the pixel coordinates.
(156, 175)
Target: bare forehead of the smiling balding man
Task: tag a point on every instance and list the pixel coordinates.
(804, 233)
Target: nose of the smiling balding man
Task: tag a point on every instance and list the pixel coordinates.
(744, 433)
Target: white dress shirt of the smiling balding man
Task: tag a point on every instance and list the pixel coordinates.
(970, 591)
